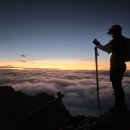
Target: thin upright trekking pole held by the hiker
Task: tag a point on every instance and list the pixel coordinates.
(96, 63)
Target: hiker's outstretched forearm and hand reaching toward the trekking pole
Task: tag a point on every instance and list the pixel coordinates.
(106, 48)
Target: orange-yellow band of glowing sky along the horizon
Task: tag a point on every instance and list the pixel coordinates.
(55, 64)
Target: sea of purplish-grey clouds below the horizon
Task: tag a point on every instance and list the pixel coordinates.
(79, 87)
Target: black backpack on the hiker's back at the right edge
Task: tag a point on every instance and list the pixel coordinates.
(126, 49)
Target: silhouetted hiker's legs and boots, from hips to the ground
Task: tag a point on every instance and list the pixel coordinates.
(116, 76)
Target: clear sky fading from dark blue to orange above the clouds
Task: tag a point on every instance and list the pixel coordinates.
(58, 33)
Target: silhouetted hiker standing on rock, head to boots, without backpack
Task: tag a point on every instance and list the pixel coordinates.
(117, 65)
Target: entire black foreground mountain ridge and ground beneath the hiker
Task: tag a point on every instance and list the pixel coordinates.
(19, 111)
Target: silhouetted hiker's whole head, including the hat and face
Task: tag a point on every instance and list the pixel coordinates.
(115, 30)
